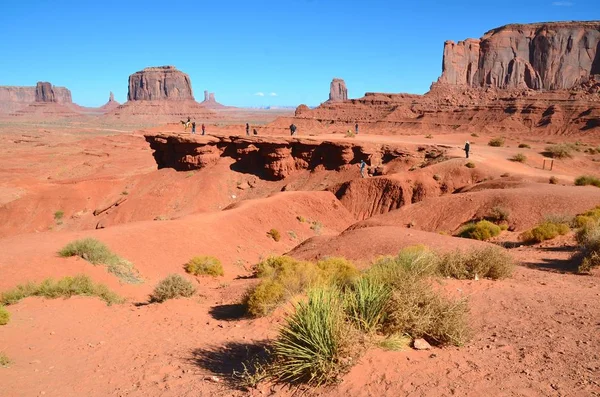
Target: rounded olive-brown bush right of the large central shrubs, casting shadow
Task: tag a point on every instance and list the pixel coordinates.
(489, 262)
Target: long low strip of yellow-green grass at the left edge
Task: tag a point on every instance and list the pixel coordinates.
(65, 287)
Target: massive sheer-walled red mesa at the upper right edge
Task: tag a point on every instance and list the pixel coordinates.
(539, 56)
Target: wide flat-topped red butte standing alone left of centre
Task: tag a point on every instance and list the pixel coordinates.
(159, 83)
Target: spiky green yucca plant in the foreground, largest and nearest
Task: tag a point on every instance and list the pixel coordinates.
(314, 342)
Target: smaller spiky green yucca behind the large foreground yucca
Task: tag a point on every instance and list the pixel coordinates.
(365, 303)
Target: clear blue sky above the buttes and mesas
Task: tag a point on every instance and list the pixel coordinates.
(291, 48)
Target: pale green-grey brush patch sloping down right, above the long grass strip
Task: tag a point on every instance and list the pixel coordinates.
(98, 253)
